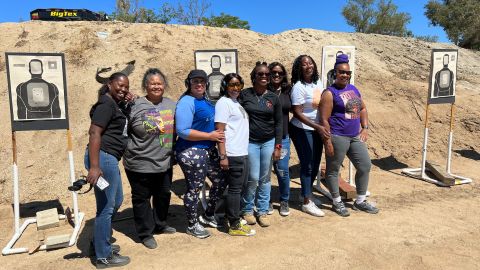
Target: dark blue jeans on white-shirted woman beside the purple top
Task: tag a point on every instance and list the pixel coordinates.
(309, 146)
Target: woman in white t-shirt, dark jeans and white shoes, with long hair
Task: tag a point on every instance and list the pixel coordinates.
(305, 130)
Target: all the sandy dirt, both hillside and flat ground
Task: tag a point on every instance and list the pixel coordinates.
(421, 226)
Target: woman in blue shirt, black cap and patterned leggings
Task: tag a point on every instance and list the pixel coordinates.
(196, 152)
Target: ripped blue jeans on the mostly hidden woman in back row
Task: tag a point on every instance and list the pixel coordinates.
(281, 170)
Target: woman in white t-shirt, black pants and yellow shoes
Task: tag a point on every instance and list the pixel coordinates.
(231, 118)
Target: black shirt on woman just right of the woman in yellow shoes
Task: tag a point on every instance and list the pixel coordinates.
(265, 115)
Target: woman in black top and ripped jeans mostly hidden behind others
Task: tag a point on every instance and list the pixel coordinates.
(280, 86)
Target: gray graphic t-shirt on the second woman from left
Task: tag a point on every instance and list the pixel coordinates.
(150, 138)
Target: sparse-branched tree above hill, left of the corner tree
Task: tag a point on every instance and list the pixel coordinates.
(376, 16)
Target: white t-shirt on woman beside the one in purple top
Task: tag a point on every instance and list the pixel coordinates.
(309, 97)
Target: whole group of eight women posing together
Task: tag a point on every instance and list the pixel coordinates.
(234, 143)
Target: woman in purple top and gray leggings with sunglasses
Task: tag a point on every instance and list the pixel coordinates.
(344, 115)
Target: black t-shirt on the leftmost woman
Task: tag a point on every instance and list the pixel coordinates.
(108, 115)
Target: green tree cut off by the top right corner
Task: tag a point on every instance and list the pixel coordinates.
(459, 18)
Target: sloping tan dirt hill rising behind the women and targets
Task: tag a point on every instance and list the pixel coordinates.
(392, 74)
